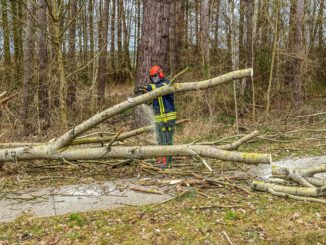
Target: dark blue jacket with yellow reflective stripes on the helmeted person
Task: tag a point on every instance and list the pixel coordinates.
(163, 106)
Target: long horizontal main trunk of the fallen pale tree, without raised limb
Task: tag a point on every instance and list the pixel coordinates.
(138, 152)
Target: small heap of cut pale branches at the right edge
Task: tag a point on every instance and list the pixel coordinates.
(298, 184)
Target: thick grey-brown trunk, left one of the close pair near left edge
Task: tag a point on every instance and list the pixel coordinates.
(28, 89)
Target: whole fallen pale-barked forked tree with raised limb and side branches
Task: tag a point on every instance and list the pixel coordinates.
(66, 147)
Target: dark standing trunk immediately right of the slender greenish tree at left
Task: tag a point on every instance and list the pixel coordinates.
(71, 91)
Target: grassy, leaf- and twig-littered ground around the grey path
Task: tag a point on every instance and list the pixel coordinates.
(197, 214)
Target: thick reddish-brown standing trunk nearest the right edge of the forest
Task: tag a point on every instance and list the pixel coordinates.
(297, 50)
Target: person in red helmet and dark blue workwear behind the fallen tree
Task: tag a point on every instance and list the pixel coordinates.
(164, 113)
